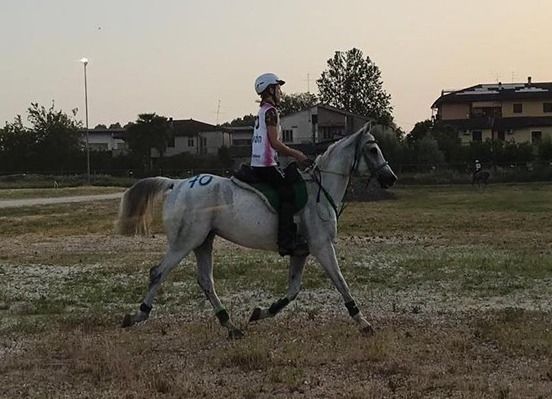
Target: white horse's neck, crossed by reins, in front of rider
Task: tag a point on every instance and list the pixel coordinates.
(335, 170)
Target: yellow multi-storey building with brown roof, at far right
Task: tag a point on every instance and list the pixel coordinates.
(516, 112)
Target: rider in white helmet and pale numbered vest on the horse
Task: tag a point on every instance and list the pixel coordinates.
(266, 145)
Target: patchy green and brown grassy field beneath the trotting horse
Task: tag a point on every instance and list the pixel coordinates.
(457, 282)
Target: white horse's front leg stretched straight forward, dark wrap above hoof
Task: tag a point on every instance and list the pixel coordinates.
(325, 254)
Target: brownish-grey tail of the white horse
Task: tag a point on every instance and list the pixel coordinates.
(136, 208)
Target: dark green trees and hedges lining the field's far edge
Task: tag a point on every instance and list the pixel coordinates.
(352, 82)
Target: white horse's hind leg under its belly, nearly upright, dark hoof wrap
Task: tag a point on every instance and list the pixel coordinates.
(204, 256)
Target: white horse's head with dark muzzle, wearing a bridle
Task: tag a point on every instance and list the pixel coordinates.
(369, 160)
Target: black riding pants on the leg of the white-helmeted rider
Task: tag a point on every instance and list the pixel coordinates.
(273, 176)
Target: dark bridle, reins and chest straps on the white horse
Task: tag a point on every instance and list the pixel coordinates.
(316, 174)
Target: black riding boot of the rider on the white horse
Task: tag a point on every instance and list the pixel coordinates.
(289, 242)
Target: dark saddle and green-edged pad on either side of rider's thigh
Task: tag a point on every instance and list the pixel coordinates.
(245, 178)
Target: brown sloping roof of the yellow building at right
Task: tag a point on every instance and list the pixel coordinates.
(497, 92)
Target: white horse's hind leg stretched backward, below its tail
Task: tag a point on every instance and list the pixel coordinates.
(157, 275)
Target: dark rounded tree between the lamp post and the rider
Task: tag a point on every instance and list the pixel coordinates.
(149, 131)
